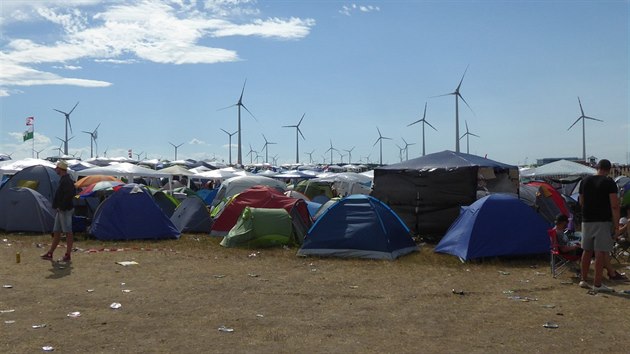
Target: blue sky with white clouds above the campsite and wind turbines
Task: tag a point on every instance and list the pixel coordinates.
(153, 73)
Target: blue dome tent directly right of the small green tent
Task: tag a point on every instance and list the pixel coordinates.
(359, 226)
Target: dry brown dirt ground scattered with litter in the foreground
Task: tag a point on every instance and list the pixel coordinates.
(181, 292)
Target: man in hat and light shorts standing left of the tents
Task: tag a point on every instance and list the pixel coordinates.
(62, 203)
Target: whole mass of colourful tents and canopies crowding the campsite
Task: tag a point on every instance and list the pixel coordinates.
(470, 206)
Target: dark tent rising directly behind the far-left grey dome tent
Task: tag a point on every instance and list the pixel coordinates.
(41, 178)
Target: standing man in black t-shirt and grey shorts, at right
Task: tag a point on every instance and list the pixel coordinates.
(600, 210)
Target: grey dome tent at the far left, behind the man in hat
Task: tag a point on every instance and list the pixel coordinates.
(25, 210)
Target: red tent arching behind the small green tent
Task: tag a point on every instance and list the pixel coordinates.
(260, 197)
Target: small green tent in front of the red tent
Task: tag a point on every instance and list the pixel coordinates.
(260, 227)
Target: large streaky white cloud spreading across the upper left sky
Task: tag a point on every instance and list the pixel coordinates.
(167, 31)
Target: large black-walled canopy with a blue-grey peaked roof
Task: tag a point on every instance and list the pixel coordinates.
(427, 192)
